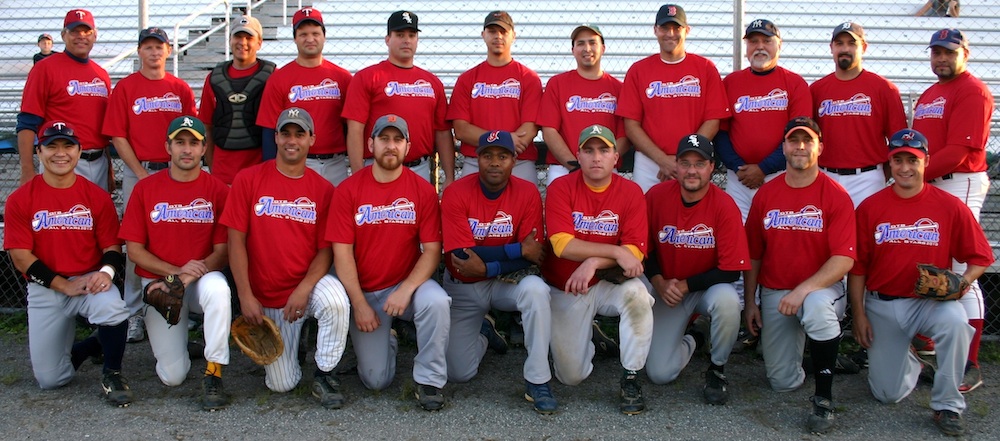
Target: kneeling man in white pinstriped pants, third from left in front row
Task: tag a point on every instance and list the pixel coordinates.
(277, 215)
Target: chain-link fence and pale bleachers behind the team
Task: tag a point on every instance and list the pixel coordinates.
(450, 43)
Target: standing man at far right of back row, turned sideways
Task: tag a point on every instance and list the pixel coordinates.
(954, 114)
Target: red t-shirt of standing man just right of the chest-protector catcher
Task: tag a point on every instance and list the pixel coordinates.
(320, 91)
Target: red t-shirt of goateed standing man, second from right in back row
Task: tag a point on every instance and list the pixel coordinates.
(857, 118)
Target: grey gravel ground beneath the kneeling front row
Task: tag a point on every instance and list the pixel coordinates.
(489, 407)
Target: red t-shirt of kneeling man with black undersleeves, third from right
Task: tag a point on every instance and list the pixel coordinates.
(692, 240)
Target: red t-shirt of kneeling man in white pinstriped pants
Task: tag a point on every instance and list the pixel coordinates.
(284, 220)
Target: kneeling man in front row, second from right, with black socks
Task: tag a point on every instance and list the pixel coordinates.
(806, 216)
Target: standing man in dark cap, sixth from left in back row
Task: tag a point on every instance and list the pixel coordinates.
(498, 94)
